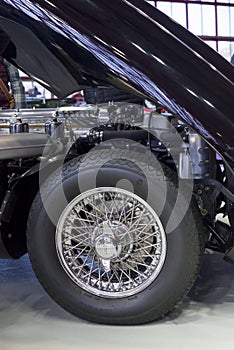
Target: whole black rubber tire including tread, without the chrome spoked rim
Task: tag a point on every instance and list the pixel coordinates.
(185, 245)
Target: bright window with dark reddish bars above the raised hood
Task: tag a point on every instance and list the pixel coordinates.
(211, 20)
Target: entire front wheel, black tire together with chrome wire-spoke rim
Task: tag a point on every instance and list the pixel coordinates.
(105, 255)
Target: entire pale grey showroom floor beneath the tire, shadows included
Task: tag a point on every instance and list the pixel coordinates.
(29, 319)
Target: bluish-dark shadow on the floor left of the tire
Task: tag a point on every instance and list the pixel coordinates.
(21, 293)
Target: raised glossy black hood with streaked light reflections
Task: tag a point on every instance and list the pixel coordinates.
(68, 45)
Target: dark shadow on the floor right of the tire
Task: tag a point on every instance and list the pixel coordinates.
(213, 287)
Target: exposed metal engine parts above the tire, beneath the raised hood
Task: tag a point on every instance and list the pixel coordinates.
(64, 133)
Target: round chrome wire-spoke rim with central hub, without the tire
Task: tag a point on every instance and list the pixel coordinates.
(110, 242)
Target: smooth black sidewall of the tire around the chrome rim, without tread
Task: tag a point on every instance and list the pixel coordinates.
(174, 276)
